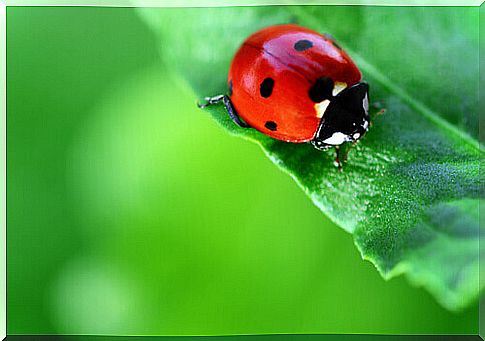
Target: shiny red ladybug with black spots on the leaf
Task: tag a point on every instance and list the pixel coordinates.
(296, 85)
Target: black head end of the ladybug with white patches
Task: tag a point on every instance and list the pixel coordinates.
(345, 119)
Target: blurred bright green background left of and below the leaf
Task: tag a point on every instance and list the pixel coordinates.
(131, 212)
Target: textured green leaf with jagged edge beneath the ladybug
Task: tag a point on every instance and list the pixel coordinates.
(410, 190)
